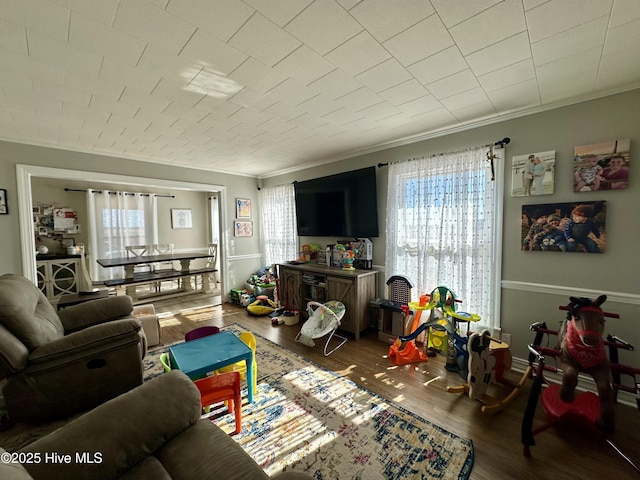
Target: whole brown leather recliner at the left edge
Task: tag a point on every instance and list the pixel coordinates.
(57, 364)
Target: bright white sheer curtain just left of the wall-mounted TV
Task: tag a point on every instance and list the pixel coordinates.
(279, 235)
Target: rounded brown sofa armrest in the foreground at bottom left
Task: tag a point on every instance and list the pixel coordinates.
(124, 431)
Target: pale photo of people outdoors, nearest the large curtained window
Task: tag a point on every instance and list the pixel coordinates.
(533, 173)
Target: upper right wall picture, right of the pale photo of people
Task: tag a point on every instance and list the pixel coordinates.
(601, 166)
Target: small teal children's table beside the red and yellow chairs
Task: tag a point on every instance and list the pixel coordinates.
(197, 358)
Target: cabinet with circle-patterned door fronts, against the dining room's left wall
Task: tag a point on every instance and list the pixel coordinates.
(58, 275)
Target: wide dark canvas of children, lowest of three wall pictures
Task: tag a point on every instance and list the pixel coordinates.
(564, 227)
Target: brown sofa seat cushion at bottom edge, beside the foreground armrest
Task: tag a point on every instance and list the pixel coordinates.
(206, 451)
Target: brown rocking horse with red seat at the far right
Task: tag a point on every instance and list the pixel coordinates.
(582, 328)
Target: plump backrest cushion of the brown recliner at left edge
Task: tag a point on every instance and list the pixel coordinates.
(26, 312)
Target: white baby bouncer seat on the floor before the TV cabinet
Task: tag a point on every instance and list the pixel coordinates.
(324, 319)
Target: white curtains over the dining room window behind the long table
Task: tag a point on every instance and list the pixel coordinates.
(118, 219)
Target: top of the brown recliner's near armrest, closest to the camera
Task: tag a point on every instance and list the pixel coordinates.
(88, 341)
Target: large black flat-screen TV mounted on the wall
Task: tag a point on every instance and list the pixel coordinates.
(341, 205)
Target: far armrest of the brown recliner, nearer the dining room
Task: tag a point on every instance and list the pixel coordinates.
(95, 312)
